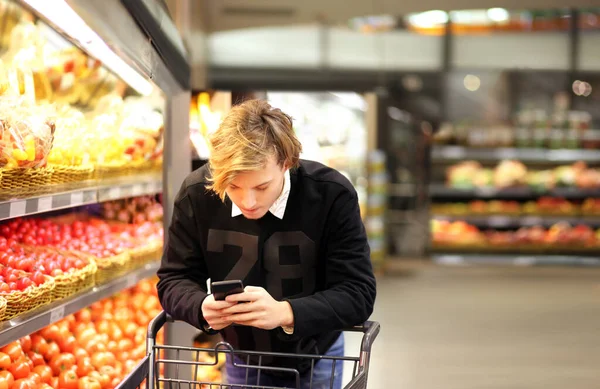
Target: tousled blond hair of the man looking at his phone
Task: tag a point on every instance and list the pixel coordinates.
(248, 136)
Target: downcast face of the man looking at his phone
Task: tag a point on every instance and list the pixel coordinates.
(255, 191)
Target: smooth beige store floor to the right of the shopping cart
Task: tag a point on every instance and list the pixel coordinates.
(487, 328)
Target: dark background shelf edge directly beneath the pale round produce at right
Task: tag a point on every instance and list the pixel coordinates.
(440, 191)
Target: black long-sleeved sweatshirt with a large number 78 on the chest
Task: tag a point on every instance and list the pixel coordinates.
(316, 257)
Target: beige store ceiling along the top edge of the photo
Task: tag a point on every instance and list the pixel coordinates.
(220, 15)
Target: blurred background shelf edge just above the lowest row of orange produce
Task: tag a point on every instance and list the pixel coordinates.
(506, 221)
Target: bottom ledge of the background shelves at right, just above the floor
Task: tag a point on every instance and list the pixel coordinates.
(516, 260)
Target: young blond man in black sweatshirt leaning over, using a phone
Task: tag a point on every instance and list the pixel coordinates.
(289, 229)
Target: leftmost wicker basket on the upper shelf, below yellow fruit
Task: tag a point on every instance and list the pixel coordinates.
(25, 182)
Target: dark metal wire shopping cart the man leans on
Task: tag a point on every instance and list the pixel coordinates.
(187, 360)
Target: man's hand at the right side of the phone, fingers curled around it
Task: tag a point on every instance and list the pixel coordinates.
(259, 310)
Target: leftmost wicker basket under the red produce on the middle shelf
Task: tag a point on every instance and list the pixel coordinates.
(19, 302)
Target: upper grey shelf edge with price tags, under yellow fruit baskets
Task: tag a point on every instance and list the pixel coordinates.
(83, 194)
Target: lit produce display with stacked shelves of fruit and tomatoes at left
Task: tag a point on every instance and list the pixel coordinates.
(87, 119)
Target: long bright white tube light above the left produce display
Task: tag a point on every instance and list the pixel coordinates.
(62, 15)
